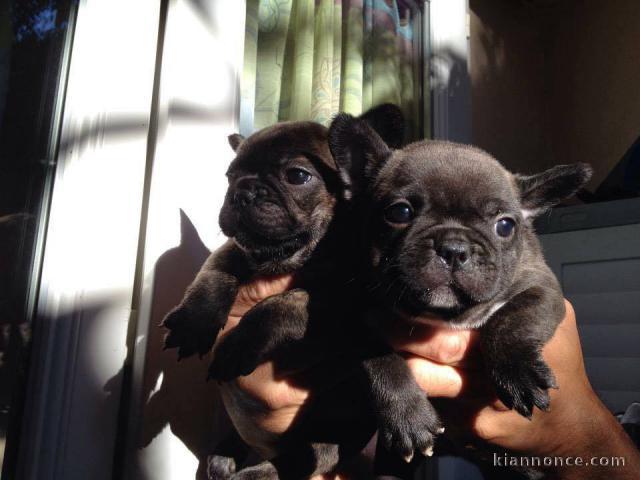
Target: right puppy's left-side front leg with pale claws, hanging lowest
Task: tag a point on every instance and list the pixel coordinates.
(406, 419)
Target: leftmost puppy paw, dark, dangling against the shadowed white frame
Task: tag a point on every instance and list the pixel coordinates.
(189, 333)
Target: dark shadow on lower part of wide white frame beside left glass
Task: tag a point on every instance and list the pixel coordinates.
(73, 366)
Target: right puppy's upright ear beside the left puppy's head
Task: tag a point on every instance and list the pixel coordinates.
(358, 151)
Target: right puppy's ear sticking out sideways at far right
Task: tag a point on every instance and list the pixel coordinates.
(544, 190)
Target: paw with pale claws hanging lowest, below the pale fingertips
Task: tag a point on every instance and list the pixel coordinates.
(410, 425)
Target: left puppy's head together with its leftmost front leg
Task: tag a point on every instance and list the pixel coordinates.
(280, 201)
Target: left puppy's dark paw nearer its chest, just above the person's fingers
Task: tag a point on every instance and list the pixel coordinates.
(237, 354)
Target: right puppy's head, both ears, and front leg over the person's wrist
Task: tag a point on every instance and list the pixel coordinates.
(449, 240)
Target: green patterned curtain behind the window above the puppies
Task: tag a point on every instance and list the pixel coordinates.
(308, 59)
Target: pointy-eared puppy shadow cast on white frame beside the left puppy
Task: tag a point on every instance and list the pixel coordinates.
(175, 394)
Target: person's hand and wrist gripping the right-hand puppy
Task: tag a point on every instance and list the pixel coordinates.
(448, 364)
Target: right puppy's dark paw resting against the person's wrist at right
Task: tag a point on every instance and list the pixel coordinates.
(524, 383)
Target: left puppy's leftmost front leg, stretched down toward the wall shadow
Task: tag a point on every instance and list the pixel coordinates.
(194, 324)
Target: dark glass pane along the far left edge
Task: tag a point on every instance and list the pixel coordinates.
(32, 39)
